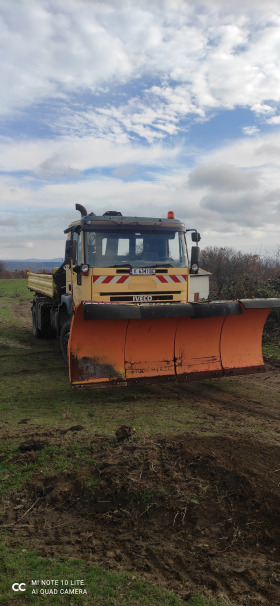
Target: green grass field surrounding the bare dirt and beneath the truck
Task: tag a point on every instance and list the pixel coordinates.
(62, 430)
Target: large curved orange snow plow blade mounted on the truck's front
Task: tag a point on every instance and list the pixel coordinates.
(118, 344)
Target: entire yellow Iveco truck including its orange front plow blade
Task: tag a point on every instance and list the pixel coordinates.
(120, 304)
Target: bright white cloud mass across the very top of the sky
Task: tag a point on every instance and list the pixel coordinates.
(216, 58)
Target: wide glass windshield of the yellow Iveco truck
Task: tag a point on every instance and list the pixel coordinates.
(137, 249)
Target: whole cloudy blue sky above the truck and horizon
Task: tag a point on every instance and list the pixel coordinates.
(142, 107)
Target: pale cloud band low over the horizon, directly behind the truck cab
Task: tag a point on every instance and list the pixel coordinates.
(226, 203)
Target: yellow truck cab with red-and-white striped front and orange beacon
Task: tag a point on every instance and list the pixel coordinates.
(119, 259)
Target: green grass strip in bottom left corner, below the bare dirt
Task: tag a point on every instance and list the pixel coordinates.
(103, 588)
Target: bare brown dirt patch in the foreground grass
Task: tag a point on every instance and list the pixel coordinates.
(192, 512)
